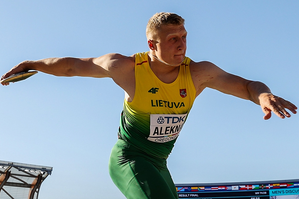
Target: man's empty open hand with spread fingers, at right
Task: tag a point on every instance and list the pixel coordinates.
(271, 103)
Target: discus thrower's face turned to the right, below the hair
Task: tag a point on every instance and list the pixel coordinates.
(171, 44)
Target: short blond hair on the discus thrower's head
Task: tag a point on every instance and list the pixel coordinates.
(162, 18)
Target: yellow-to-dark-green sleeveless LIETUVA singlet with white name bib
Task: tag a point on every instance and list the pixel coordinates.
(153, 120)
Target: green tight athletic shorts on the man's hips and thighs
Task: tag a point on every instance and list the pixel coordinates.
(139, 176)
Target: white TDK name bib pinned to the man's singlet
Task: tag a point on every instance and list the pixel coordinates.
(165, 127)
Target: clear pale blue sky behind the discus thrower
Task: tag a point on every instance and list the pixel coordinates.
(71, 123)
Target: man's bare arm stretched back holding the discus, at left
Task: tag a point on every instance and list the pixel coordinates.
(87, 67)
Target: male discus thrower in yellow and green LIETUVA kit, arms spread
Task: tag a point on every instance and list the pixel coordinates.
(160, 87)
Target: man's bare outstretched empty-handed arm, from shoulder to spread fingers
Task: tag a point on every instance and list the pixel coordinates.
(206, 74)
